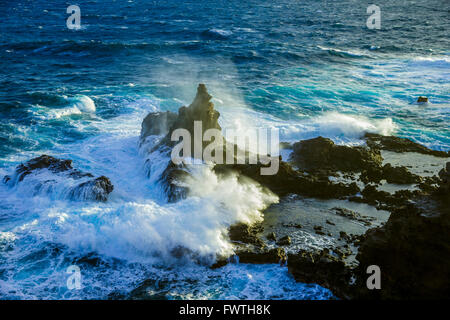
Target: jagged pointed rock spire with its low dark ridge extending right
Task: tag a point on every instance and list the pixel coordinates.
(286, 181)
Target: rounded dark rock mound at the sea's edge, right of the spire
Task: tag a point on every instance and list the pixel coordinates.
(322, 154)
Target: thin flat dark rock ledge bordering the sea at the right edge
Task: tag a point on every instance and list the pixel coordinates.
(397, 144)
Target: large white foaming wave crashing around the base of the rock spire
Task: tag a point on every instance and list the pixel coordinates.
(137, 224)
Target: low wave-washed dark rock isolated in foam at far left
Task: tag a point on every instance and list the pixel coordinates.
(89, 189)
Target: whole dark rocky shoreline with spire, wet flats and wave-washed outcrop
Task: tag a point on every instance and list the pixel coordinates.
(341, 209)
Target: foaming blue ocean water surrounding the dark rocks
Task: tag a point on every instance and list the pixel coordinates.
(306, 67)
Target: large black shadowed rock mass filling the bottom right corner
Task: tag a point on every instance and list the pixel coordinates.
(412, 251)
